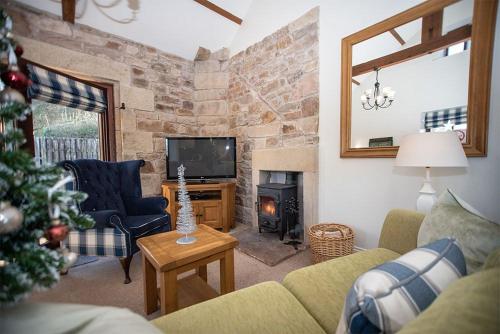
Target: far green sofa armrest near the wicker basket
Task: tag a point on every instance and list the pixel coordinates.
(400, 230)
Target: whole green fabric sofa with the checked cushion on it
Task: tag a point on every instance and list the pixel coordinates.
(310, 299)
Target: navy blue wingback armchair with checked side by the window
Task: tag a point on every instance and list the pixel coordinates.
(116, 204)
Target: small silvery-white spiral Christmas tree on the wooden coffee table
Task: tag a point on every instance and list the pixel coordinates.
(185, 220)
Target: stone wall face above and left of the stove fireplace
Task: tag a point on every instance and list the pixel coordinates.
(273, 98)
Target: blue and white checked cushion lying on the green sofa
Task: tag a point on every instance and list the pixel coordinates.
(387, 297)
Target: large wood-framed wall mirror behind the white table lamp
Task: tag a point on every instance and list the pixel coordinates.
(426, 69)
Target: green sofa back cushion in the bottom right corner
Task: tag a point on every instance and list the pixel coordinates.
(469, 305)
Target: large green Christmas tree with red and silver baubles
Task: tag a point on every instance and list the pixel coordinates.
(36, 212)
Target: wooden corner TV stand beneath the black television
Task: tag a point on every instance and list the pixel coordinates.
(213, 203)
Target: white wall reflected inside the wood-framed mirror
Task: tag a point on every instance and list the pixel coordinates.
(415, 83)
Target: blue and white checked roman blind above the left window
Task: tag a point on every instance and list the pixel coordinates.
(59, 89)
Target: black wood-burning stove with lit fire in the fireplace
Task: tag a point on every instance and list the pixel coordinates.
(277, 208)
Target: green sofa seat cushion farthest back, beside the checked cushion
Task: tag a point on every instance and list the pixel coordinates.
(322, 288)
